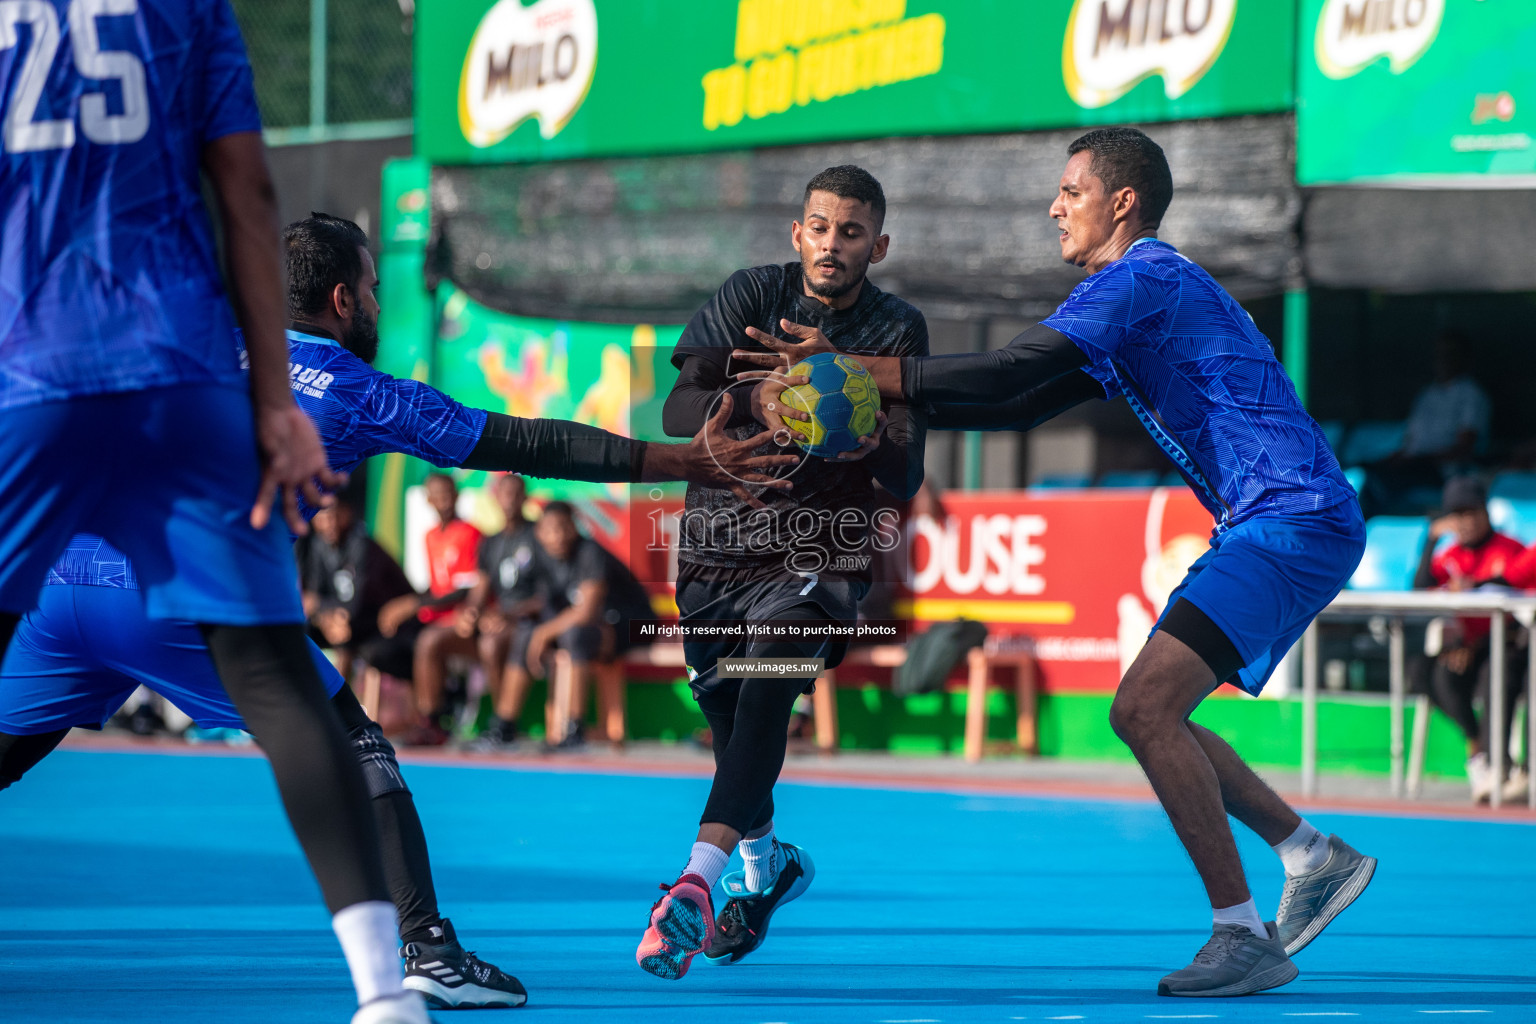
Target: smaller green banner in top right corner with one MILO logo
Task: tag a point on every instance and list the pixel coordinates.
(1417, 93)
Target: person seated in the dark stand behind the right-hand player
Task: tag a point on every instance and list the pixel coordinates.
(1446, 431)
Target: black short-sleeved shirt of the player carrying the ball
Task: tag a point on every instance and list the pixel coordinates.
(723, 538)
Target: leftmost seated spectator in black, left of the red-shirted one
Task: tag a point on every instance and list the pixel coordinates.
(348, 580)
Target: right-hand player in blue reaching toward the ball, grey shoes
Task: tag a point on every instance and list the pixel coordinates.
(1153, 328)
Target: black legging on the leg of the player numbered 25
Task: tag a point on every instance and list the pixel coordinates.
(270, 676)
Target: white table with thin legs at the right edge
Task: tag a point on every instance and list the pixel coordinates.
(1429, 604)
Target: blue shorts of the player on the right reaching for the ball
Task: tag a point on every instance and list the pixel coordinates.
(1266, 580)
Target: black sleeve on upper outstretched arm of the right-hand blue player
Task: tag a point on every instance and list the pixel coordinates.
(1034, 358)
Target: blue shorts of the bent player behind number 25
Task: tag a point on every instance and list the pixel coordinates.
(85, 650)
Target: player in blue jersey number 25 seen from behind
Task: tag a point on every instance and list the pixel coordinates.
(124, 411)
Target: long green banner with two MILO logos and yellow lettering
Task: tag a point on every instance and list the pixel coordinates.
(515, 81)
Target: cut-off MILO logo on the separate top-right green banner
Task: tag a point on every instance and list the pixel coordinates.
(1354, 35)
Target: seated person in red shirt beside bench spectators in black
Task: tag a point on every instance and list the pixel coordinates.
(414, 630)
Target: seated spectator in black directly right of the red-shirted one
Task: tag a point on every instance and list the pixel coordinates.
(503, 610)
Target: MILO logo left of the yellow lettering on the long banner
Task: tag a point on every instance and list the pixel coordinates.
(528, 62)
